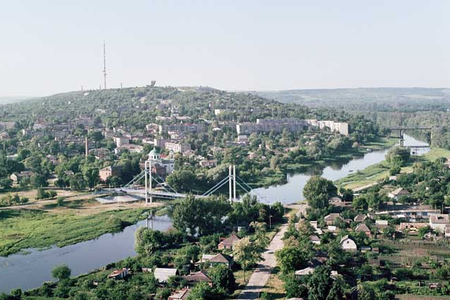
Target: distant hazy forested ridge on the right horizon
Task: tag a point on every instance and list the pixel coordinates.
(360, 99)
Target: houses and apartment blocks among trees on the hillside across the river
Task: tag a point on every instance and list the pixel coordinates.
(169, 134)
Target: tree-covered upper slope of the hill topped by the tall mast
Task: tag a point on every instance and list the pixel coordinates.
(133, 108)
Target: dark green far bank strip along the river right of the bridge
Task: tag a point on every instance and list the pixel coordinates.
(279, 176)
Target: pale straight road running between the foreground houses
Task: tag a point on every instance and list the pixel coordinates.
(262, 272)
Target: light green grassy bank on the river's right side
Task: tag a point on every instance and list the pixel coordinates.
(375, 173)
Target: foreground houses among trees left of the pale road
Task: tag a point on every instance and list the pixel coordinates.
(162, 275)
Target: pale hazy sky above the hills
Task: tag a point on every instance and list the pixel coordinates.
(50, 46)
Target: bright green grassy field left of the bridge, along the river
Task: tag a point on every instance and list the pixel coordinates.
(21, 229)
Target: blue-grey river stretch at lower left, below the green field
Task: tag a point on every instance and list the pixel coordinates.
(30, 271)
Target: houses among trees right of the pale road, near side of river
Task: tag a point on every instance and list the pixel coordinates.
(373, 223)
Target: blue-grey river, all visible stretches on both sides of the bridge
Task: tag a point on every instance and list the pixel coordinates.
(31, 270)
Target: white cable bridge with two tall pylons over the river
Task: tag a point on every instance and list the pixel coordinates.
(165, 191)
